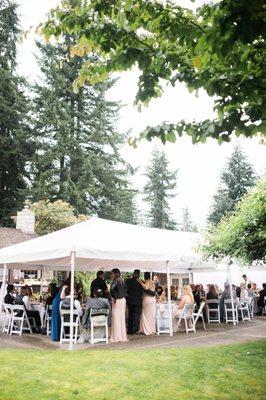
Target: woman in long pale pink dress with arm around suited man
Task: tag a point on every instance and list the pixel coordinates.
(148, 315)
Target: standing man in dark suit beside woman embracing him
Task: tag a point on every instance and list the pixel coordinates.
(134, 302)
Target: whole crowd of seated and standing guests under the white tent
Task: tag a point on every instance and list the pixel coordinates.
(131, 302)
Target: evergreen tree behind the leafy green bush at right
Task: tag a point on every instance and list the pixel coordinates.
(237, 176)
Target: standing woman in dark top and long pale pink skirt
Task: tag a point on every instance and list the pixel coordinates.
(118, 293)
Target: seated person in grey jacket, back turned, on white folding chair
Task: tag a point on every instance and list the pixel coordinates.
(98, 303)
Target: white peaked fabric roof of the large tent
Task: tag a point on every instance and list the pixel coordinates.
(105, 244)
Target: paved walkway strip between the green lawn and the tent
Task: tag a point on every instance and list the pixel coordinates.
(214, 335)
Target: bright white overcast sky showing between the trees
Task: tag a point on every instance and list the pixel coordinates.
(198, 165)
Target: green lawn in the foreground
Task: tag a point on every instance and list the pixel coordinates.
(225, 372)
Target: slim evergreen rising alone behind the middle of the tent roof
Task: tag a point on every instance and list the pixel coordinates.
(158, 190)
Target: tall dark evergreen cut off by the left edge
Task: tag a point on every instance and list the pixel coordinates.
(15, 135)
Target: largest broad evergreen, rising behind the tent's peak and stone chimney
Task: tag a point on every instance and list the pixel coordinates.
(78, 158)
